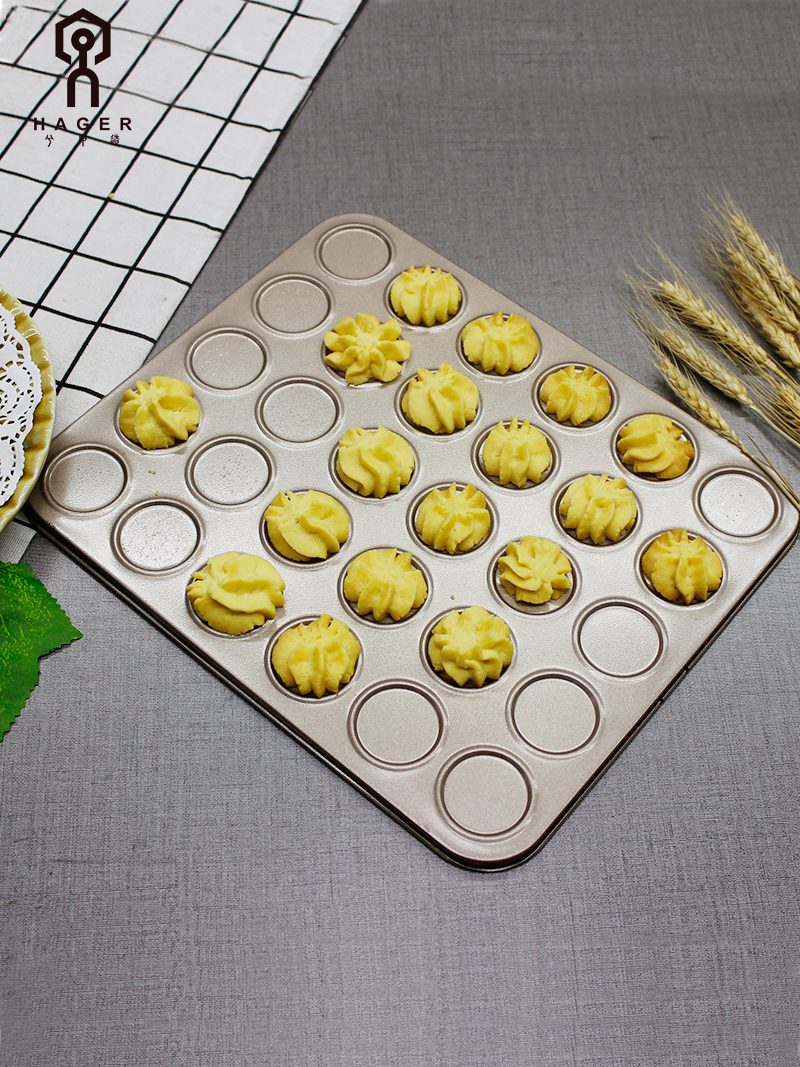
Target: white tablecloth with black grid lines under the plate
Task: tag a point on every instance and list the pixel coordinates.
(104, 230)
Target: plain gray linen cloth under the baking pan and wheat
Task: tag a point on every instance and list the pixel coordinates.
(182, 884)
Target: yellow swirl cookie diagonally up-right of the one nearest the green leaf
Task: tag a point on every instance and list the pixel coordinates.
(307, 527)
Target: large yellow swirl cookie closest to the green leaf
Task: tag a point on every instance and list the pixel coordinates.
(236, 593)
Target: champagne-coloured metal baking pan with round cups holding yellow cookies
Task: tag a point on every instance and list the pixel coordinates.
(482, 774)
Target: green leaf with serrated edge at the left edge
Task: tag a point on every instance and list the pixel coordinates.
(33, 624)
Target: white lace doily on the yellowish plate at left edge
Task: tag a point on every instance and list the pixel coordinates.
(21, 392)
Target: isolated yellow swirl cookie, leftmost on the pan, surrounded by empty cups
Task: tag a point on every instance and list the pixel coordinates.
(159, 413)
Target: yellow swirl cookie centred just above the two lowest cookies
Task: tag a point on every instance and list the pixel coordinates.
(386, 582)
